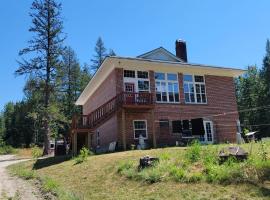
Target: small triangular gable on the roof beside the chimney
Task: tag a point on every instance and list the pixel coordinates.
(160, 54)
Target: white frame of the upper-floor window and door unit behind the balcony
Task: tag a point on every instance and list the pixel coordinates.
(136, 80)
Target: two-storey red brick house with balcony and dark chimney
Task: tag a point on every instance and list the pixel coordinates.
(155, 95)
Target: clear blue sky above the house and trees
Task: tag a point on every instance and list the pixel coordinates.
(224, 33)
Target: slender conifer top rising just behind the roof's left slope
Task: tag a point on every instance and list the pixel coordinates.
(99, 56)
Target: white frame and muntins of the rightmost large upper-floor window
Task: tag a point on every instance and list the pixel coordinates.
(193, 82)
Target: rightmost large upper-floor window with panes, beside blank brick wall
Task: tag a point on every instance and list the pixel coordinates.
(194, 89)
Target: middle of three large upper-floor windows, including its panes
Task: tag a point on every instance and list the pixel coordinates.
(167, 89)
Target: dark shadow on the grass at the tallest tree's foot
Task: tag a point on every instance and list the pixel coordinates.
(46, 162)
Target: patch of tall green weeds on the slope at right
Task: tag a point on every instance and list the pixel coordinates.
(198, 164)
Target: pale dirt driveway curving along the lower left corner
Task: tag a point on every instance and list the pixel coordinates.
(13, 187)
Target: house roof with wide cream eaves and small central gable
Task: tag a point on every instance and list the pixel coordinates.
(146, 62)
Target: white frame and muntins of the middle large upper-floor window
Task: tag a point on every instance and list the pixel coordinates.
(166, 81)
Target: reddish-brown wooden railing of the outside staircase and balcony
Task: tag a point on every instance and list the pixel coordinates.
(104, 111)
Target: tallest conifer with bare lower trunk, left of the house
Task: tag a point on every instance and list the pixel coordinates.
(44, 49)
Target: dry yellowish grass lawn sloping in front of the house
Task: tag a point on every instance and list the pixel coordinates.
(99, 178)
